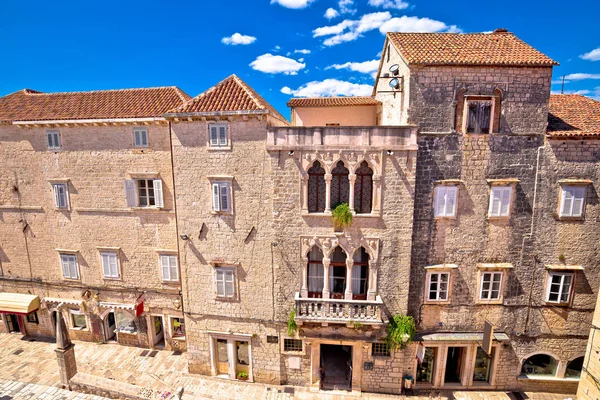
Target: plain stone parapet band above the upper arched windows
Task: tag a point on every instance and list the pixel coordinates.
(310, 138)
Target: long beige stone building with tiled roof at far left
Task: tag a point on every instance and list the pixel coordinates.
(87, 216)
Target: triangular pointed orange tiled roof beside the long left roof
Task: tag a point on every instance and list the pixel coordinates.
(231, 94)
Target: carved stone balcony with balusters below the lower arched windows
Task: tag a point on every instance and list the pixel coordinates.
(338, 311)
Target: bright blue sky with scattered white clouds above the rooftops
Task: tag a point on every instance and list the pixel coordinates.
(89, 45)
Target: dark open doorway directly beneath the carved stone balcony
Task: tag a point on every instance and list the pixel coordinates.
(336, 367)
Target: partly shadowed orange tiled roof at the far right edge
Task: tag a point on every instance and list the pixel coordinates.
(573, 116)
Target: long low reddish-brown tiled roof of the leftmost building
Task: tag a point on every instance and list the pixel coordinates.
(29, 105)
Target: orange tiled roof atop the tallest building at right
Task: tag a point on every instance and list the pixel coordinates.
(497, 48)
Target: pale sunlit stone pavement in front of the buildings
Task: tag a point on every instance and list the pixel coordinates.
(162, 372)
